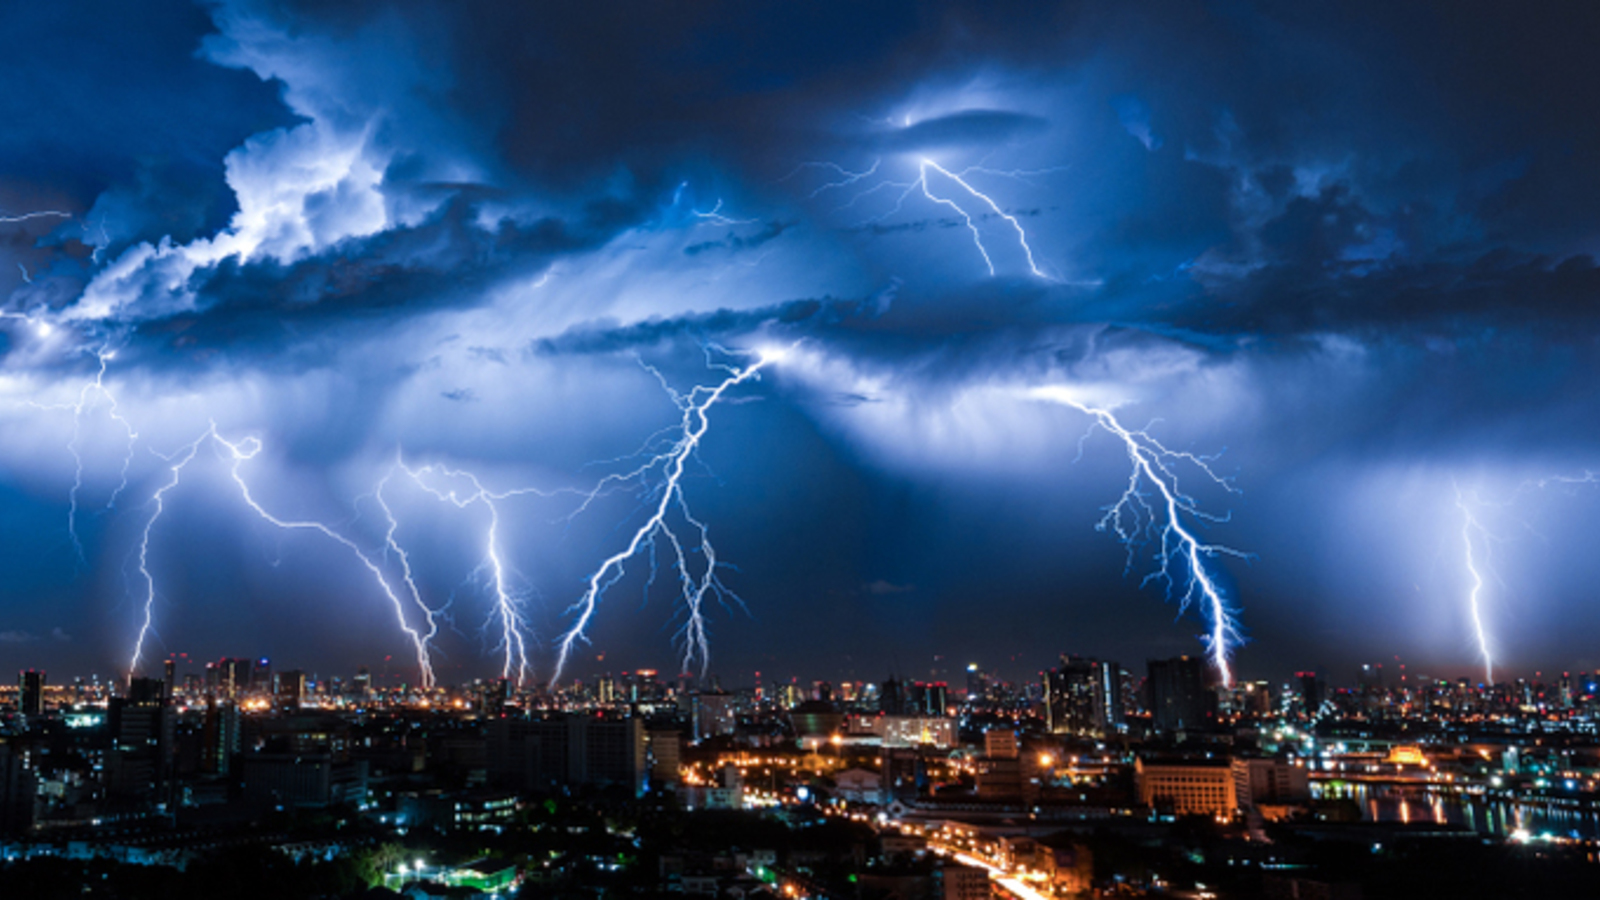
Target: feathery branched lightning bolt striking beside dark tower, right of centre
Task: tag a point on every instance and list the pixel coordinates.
(1183, 563)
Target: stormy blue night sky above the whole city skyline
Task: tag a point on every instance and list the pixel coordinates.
(1343, 252)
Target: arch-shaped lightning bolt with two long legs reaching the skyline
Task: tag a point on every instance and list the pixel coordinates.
(238, 454)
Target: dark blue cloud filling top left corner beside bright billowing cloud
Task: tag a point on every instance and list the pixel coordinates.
(108, 106)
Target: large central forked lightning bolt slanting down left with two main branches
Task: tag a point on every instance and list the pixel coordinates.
(668, 496)
